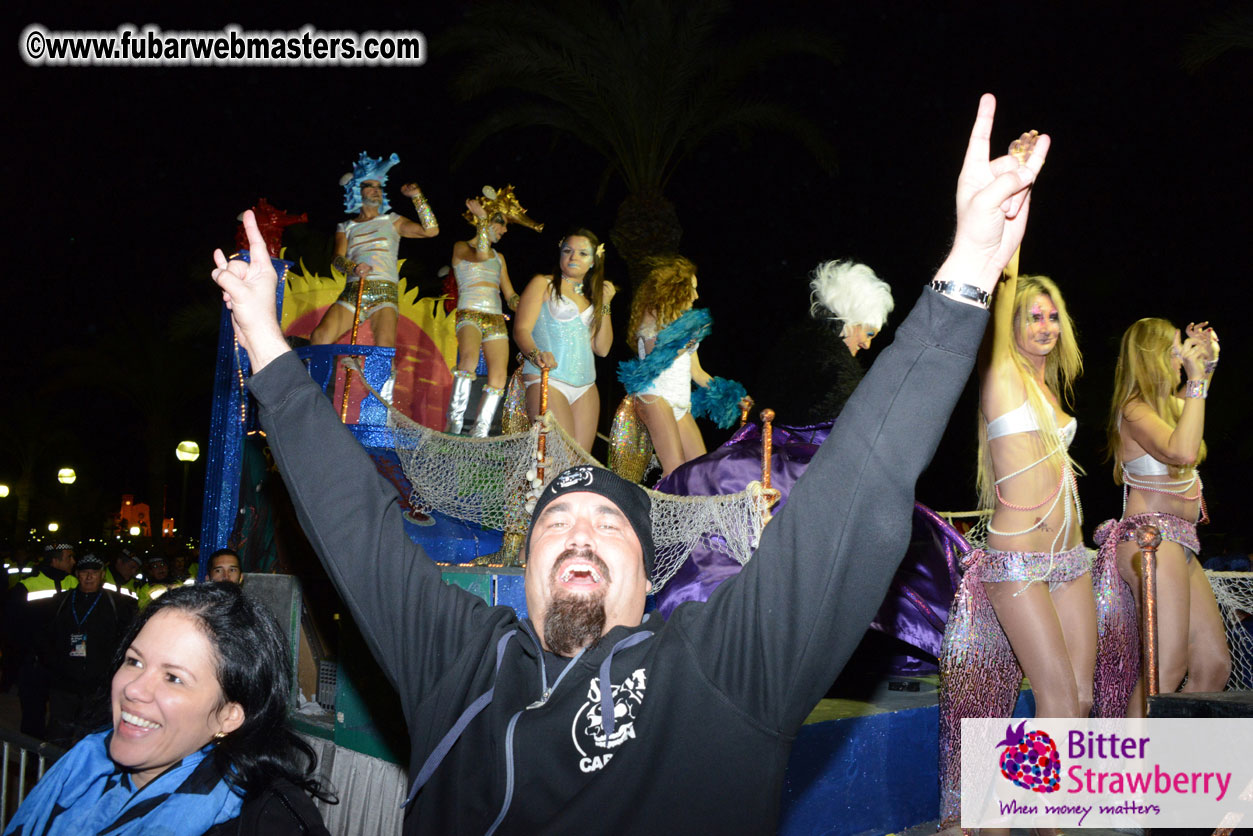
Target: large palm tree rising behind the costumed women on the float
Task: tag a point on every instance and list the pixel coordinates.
(643, 83)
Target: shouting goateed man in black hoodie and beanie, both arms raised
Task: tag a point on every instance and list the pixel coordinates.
(590, 715)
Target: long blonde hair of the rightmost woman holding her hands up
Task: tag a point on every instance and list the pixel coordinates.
(1145, 374)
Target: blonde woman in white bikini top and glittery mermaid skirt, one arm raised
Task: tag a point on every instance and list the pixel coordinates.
(1026, 605)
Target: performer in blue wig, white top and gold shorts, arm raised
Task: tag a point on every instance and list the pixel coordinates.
(365, 251)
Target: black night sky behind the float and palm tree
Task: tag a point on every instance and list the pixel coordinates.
(122, 182)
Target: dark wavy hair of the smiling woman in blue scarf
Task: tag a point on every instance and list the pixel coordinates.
(255, 671)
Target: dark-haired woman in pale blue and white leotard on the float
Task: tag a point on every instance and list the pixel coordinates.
(563, 320)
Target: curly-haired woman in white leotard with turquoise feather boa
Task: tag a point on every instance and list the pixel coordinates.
(666, 404)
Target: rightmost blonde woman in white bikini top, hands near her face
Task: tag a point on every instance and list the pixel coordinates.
(1156, 432)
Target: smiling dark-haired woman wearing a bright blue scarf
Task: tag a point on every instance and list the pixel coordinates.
(199, 741)
